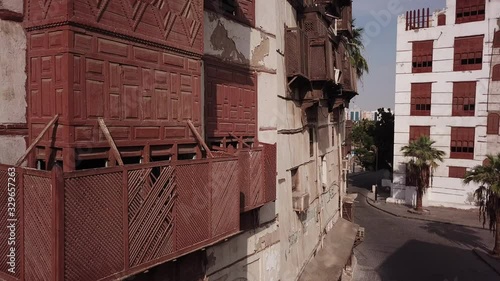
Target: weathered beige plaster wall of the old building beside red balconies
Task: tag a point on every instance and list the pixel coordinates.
(279, 250)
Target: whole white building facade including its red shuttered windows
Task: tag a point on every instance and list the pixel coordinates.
(443, 73)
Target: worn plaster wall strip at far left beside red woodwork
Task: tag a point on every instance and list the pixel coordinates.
(12, 82)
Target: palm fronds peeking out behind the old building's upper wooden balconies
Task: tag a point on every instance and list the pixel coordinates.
(355, 46)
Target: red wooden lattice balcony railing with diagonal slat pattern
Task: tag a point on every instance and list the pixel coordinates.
(104, 224)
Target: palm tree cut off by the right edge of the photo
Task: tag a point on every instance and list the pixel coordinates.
(488, 194)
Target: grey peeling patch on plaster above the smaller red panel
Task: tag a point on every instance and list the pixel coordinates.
(221, 42)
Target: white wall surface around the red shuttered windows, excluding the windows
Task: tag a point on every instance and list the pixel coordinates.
(444, 190)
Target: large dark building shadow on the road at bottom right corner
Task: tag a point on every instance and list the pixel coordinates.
(423, 261)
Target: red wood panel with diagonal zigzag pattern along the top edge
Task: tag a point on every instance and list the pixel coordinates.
(175, 23)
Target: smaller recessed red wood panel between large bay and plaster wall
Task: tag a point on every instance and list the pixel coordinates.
(230, 101)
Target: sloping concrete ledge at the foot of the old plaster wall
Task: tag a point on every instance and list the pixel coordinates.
(329, 262)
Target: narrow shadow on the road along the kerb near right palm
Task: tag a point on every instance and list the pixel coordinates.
(461, 235)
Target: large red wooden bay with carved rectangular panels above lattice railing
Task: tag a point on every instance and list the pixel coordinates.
(134, 87)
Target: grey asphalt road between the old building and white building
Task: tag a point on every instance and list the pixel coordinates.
(397, 249)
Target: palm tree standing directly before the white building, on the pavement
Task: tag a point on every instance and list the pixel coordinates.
(423, 162)
